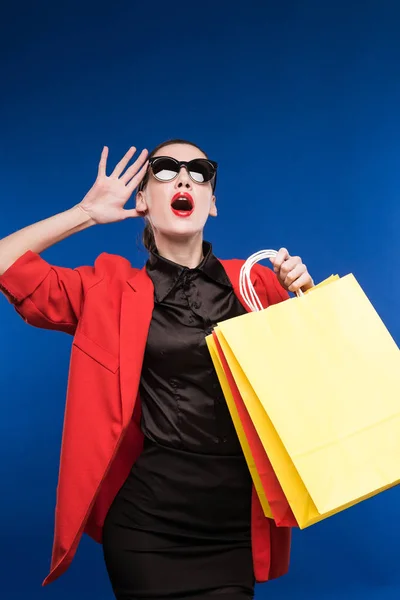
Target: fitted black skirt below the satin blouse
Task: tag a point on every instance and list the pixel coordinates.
(180, 528)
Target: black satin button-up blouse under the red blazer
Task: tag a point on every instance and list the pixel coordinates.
(182, 402)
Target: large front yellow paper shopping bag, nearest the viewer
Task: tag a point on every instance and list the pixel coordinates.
(320, 377)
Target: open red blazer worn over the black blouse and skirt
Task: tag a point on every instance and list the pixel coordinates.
(107, 307)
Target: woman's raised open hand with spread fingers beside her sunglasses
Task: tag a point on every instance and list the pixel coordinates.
(105, 201)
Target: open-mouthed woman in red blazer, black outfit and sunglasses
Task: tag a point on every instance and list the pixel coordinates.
(150, 463)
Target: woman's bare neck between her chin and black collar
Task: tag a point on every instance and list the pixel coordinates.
(187, 252)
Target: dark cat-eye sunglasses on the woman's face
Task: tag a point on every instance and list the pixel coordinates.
(165, 168)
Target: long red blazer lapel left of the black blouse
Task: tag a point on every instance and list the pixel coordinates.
(136, 312)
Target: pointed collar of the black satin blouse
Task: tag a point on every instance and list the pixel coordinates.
(165, 274)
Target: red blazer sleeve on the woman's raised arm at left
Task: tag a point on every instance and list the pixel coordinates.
(46, 296)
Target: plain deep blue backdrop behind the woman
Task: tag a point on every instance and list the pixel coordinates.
(298, 101)
